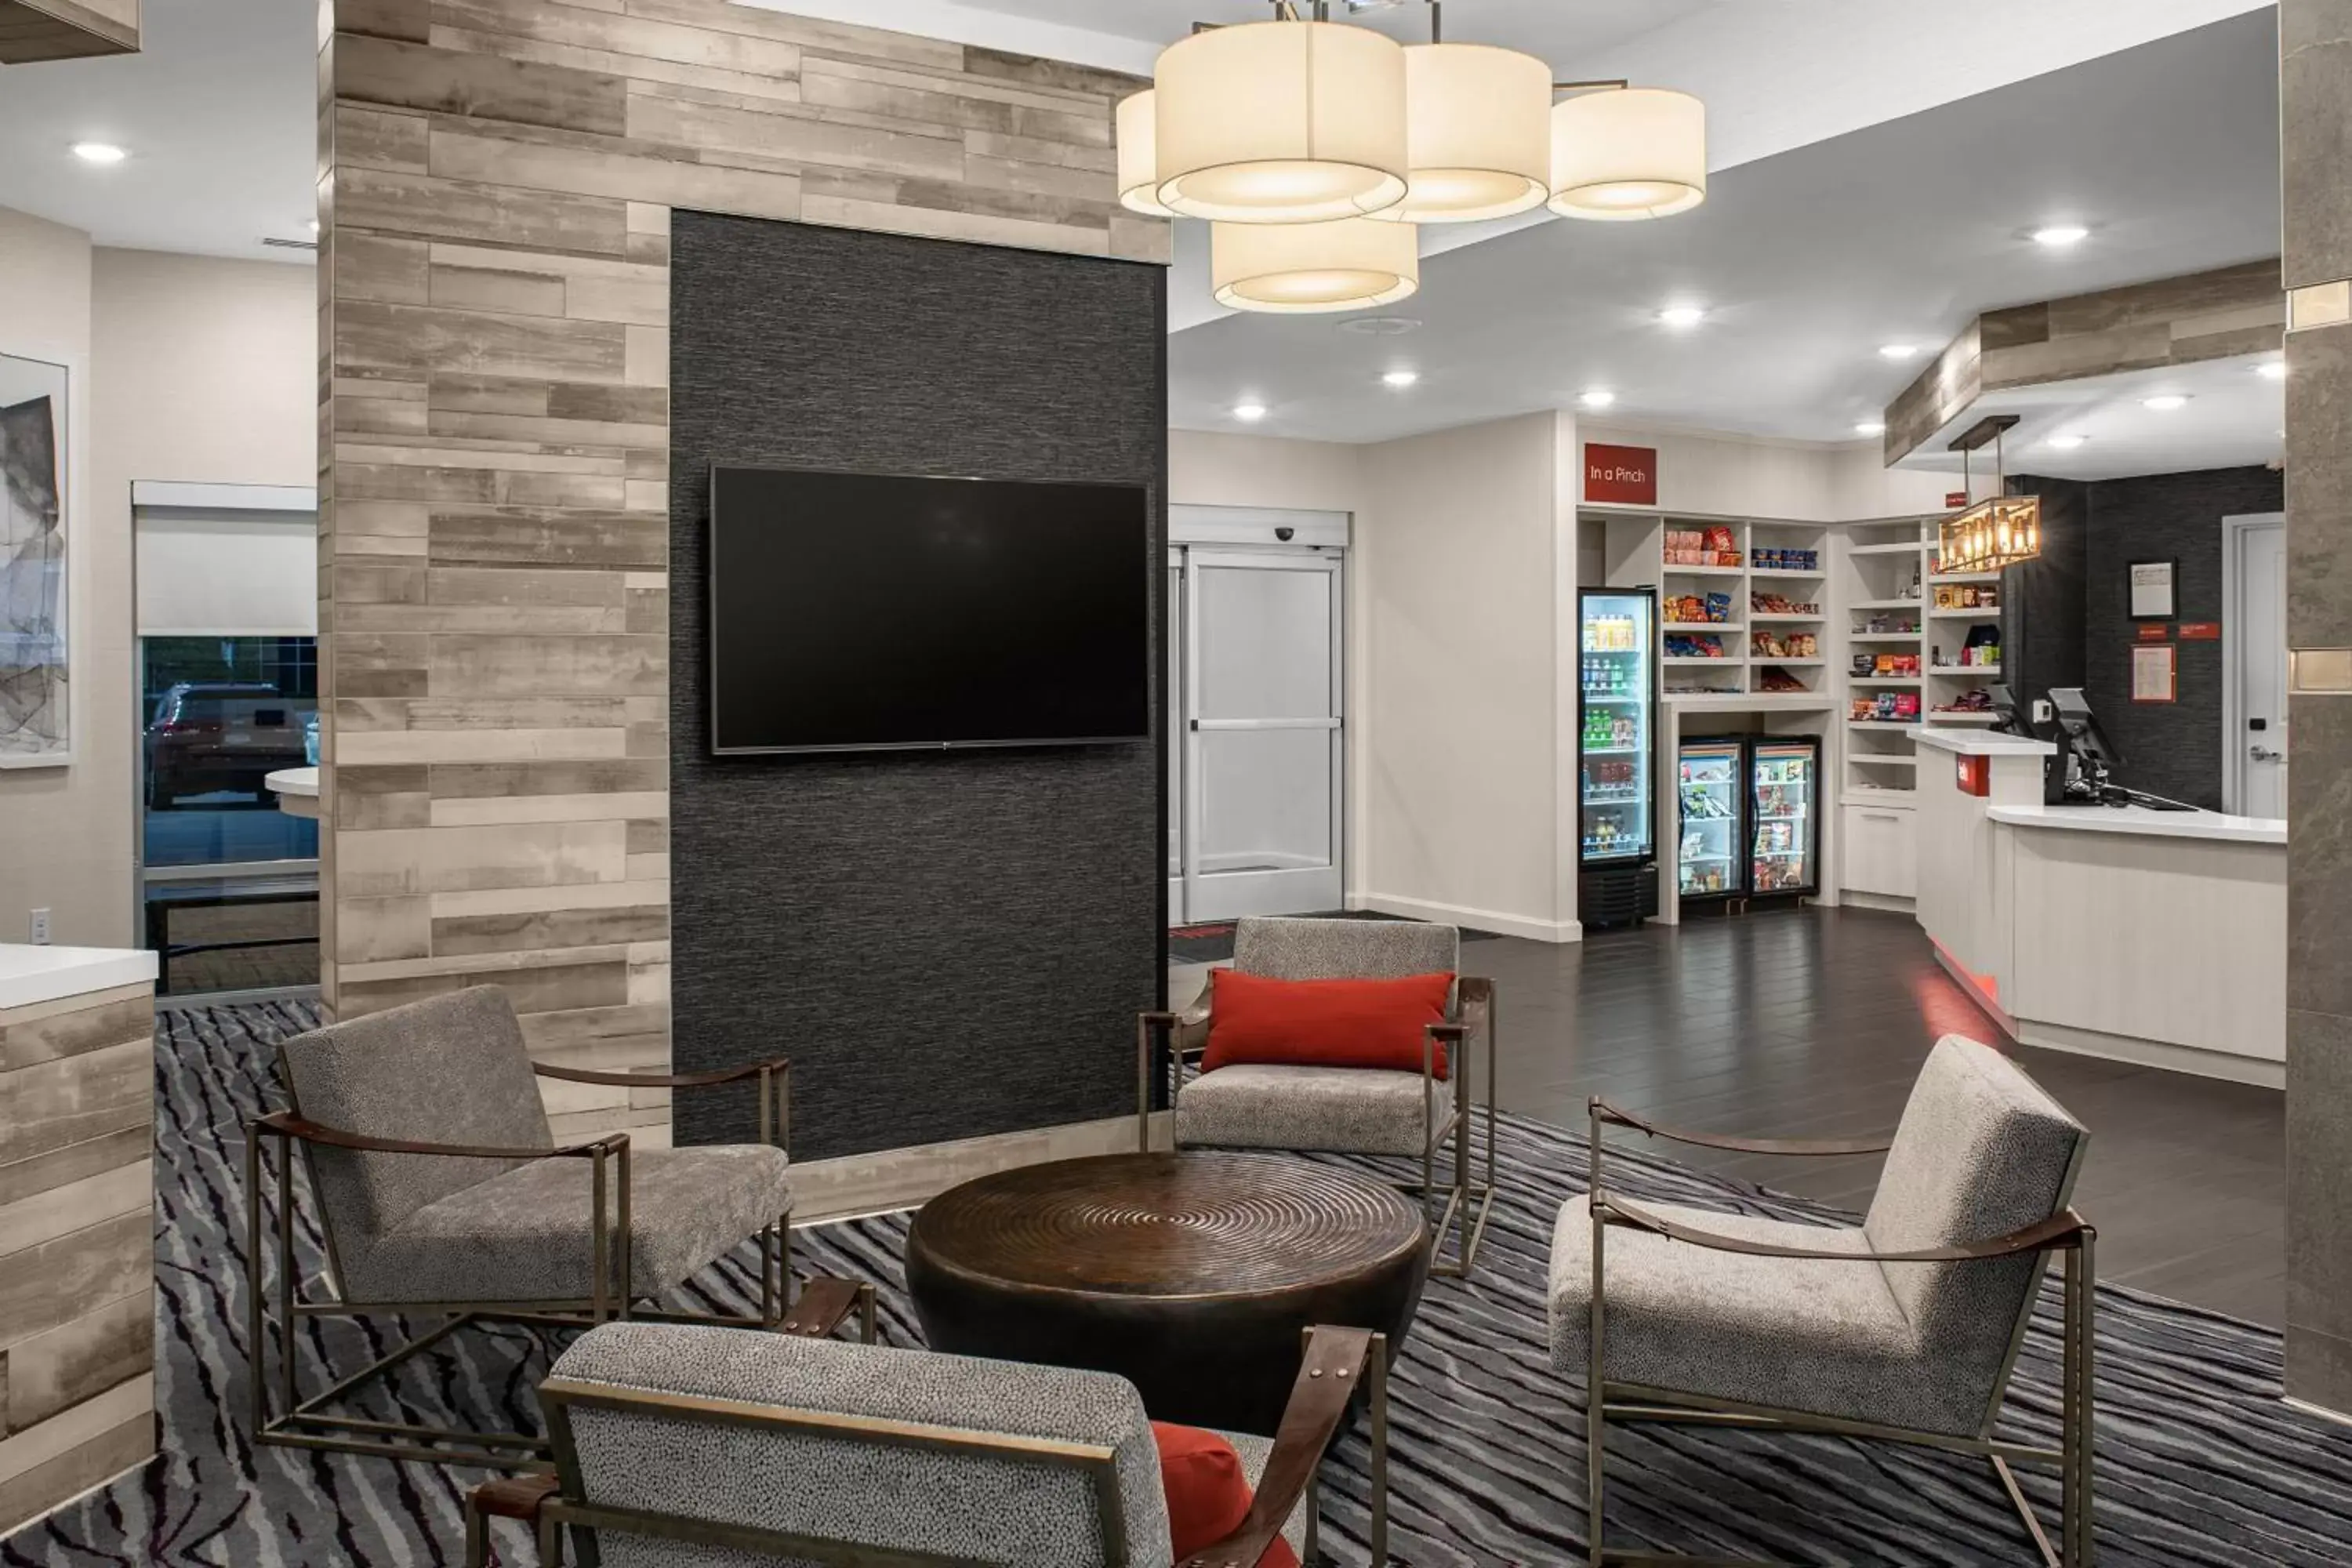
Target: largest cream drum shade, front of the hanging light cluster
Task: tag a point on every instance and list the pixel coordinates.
(1281, 123)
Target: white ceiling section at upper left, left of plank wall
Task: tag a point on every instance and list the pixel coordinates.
(218, 112)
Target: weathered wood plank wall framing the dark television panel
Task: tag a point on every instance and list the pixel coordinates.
(495, 210)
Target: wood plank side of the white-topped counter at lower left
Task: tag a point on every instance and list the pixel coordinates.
(76, 1245)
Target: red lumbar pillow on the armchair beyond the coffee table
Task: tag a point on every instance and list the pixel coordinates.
(1323, 1024)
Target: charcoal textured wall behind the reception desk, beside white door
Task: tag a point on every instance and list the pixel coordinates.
(2170, 749)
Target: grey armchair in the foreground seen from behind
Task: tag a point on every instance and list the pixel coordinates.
(700, 1449)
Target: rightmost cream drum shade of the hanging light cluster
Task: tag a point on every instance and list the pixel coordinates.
(1629, 154)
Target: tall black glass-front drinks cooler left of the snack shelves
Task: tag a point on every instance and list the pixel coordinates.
(1617, 805)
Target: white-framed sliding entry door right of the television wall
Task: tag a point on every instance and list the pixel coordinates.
(1259, 786)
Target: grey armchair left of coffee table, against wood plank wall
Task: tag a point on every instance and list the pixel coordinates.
(441, 1191)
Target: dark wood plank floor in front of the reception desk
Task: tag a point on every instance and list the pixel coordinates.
(1812, 1024)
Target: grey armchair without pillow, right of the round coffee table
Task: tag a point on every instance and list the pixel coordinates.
(1902, 1329)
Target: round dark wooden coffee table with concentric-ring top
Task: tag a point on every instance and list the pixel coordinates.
(1191, 1275)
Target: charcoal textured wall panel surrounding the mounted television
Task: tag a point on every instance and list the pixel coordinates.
(947, 946)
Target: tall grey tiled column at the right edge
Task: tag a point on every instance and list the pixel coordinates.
(2316, 39)
